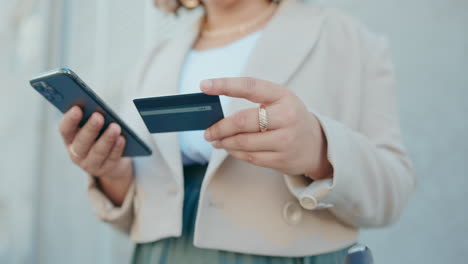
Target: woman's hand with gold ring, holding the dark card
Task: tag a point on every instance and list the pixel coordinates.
(294, 143)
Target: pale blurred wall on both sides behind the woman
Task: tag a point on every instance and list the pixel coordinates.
(44, 213)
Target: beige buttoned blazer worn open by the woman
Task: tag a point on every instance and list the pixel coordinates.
(344, 75)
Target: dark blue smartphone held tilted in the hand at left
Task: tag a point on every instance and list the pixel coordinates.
(64, 89)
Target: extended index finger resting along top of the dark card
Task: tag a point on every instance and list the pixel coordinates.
(255, 90)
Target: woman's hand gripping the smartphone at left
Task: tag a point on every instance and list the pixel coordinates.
(100, 157)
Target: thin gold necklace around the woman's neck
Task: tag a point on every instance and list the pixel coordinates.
(240, 29)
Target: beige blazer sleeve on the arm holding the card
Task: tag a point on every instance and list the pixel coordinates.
(373, 177)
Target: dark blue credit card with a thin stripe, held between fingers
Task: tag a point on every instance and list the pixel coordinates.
(176, 113)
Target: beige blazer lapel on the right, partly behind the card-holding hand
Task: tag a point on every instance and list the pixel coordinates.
(285, 43)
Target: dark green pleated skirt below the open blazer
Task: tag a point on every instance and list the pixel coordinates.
(181, 249)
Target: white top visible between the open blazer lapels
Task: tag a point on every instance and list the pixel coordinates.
(226, 61)
